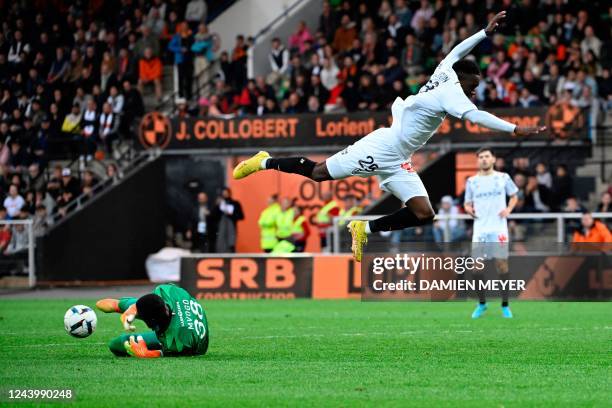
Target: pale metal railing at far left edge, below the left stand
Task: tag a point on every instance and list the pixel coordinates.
(19, 259)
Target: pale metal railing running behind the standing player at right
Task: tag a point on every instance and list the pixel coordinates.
(337, 232)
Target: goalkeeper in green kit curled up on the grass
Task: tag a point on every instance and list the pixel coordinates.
(177, 319)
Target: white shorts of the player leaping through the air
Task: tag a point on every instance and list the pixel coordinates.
(375, 155)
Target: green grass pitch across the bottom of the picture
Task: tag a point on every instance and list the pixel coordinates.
(327, 353)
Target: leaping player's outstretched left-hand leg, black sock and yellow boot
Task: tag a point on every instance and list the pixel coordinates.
(295, 165)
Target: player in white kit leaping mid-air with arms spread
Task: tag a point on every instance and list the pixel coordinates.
(386, 152)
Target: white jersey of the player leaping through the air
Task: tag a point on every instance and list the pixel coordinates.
(416, 118)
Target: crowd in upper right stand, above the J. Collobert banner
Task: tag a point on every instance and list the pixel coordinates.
(364, 54)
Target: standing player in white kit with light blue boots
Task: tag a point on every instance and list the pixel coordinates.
(485, 200)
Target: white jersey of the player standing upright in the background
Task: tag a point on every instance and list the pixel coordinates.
(488, 197)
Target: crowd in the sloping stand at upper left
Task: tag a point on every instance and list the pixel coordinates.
(71, 75)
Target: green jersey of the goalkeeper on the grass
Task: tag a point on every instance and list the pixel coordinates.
(188, 330)
